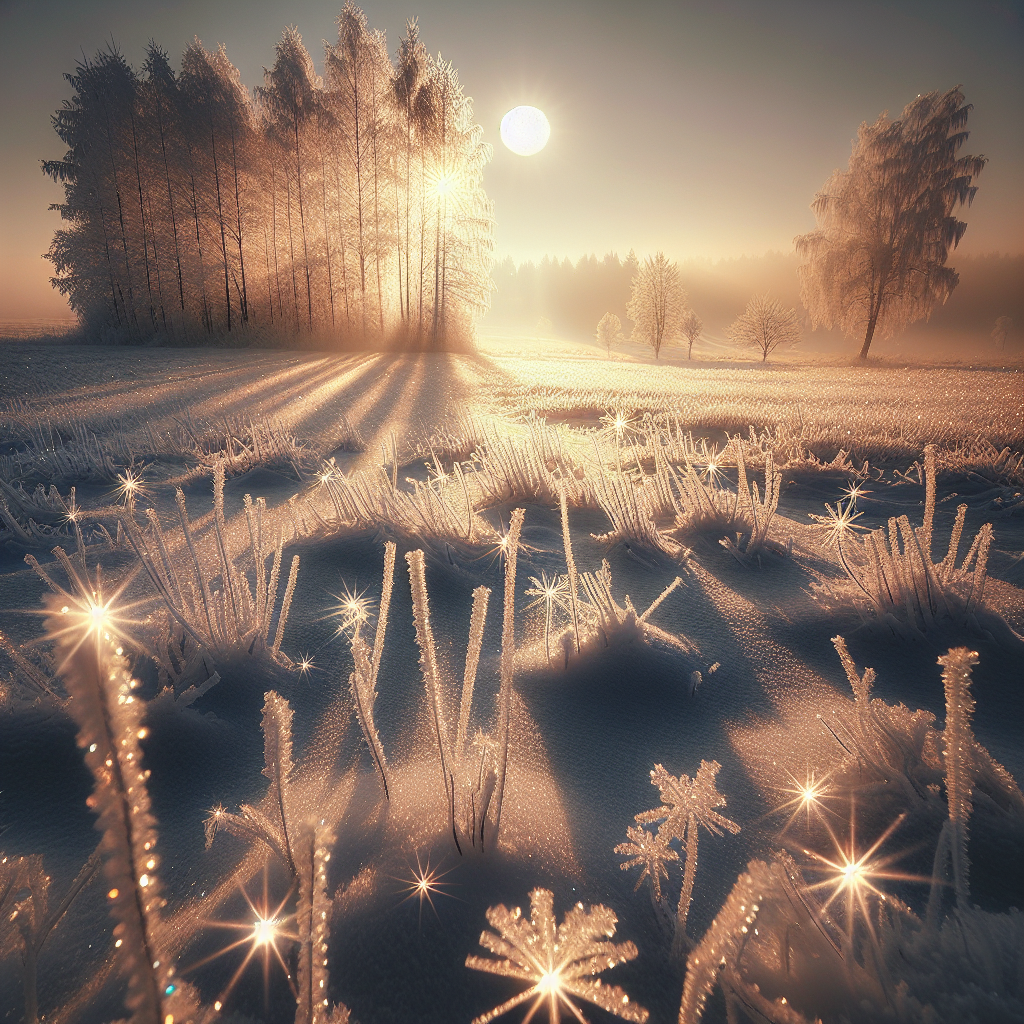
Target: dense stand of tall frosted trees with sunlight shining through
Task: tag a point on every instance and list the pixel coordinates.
(349, 206)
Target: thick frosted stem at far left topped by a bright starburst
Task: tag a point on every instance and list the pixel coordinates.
(104, 702)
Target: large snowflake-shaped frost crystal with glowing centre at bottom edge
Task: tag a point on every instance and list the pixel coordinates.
(560, 962)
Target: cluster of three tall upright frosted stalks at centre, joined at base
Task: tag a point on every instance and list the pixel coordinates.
(472, 786)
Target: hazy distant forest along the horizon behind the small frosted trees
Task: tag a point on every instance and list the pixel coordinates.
(575, 297)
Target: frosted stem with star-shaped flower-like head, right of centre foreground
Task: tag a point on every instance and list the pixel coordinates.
(687, 804)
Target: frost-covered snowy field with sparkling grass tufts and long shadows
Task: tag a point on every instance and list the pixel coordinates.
(437, 689)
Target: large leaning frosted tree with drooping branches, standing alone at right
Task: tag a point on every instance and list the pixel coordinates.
(886, 226)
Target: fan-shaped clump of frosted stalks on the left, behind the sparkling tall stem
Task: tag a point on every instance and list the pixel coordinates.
(225, 622)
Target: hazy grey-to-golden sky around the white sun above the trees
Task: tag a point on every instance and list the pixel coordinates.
(701, 130)
